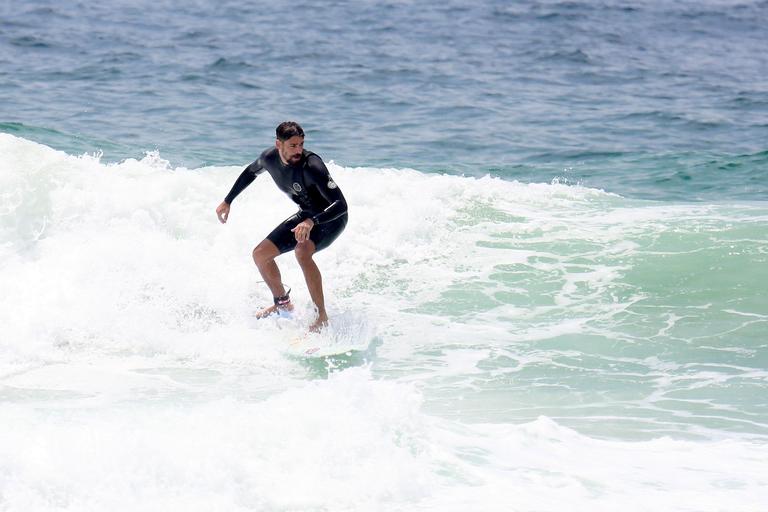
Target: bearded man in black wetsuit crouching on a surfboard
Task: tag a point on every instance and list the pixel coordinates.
(321, 218)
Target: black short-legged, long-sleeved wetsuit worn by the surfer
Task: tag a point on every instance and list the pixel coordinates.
(310, 186)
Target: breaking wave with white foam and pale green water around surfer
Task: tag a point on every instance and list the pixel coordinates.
(526, 346)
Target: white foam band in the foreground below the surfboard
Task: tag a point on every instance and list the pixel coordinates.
(351, 443)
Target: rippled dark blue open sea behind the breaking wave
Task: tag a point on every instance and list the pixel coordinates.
(653, 99)
